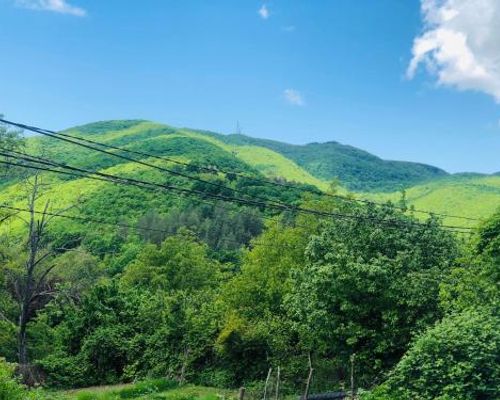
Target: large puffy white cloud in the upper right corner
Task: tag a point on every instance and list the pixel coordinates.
(460, 44)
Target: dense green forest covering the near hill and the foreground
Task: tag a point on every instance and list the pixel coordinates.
(198, 268)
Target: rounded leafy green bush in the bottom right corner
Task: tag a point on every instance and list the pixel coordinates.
(456, 359)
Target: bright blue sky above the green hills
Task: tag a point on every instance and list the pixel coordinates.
(295, 70)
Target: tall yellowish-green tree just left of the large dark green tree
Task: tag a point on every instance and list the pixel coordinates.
(255, 329)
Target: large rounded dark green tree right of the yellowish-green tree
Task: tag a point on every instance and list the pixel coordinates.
(368, 289)
